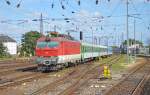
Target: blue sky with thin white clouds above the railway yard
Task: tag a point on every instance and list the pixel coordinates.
(106, 19)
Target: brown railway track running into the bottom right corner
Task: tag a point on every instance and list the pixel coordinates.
(133, 83)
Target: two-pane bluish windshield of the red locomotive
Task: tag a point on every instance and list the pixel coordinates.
(47, 44)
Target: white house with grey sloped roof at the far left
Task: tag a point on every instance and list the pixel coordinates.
(10, 43)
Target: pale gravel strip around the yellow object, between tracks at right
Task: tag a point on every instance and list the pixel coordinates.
(99, 86)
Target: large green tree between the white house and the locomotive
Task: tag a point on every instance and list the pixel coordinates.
(28, 43)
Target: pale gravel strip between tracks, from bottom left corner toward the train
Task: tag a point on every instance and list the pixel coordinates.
(28, 87)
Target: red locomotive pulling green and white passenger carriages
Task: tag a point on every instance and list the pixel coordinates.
(55, 53)
